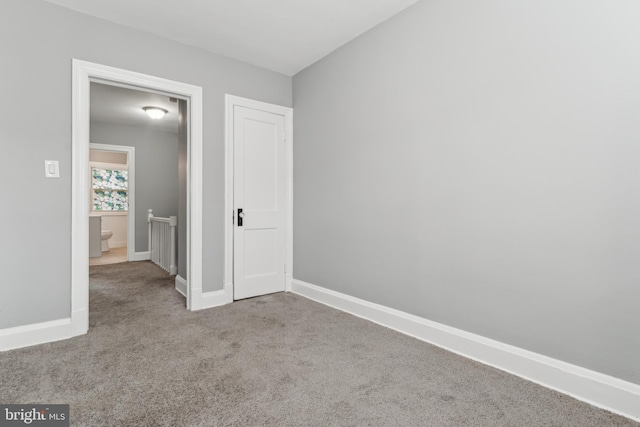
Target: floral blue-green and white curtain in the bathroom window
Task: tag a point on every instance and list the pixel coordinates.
(109, 190)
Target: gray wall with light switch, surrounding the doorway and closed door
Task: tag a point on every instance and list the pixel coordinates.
(38, 41)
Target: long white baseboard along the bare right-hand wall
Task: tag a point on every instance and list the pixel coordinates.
(595, 388)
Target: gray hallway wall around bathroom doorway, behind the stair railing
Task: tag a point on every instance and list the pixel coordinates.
(156, 170)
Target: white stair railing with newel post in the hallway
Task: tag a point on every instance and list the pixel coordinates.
(162, 241)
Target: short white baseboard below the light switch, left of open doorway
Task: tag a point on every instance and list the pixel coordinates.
(37, 333)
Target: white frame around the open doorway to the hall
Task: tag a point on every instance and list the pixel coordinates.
(83, 74)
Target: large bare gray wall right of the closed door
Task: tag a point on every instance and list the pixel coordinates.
(476, 163)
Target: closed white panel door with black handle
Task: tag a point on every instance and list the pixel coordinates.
(259, 193)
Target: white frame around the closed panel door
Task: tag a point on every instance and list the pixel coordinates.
(230, 102)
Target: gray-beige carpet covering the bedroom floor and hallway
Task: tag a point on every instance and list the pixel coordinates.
(277, 360)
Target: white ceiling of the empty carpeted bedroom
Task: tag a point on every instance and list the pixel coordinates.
(281, 35)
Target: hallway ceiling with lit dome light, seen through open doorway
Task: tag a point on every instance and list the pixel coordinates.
(112, 104)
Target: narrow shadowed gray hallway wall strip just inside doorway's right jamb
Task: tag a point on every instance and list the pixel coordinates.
(182, 187)
